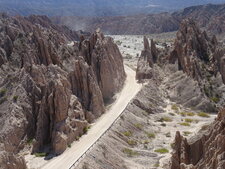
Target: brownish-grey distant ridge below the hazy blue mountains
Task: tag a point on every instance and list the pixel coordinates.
(210, 17)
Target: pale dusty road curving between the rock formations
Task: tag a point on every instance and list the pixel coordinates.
(66, 160)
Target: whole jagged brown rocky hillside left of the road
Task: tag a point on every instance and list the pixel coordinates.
(49, 90)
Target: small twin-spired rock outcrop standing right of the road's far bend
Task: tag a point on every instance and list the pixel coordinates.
(146, 61)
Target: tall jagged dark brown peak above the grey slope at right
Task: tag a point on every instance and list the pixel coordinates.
(193, 48)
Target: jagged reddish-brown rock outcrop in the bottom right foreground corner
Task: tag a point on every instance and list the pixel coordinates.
(206, 150)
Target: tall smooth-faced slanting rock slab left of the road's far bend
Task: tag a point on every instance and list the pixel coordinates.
(106, 60)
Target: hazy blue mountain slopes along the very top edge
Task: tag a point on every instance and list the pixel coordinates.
(96, 7)
